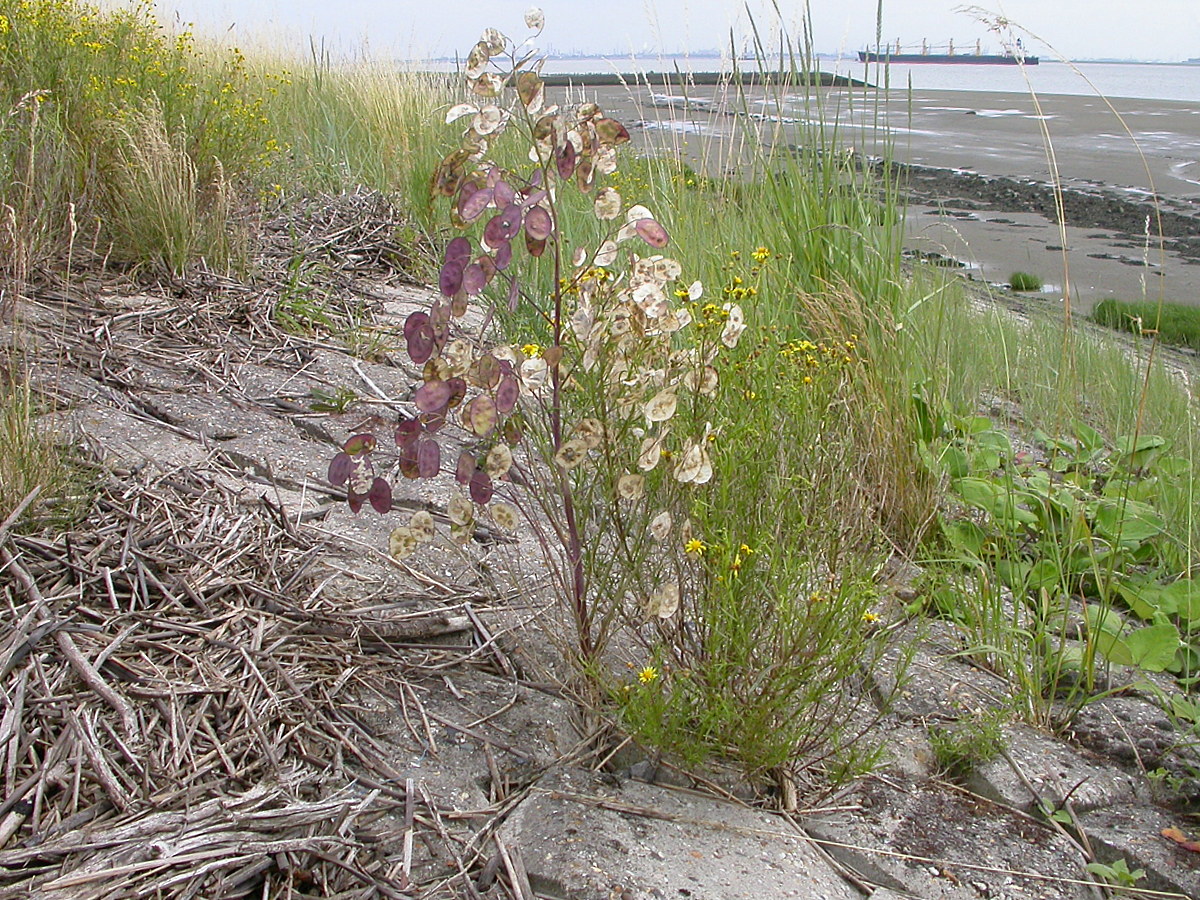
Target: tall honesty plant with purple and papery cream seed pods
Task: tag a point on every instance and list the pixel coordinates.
(617, 368)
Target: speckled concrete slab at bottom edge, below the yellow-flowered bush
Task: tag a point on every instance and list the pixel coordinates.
(584, 838)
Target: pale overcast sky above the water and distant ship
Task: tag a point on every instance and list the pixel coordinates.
(1120, 29)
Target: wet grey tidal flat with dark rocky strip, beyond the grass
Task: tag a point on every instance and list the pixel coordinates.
(980, 176)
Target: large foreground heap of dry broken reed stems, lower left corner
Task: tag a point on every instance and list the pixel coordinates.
(176, 725)
